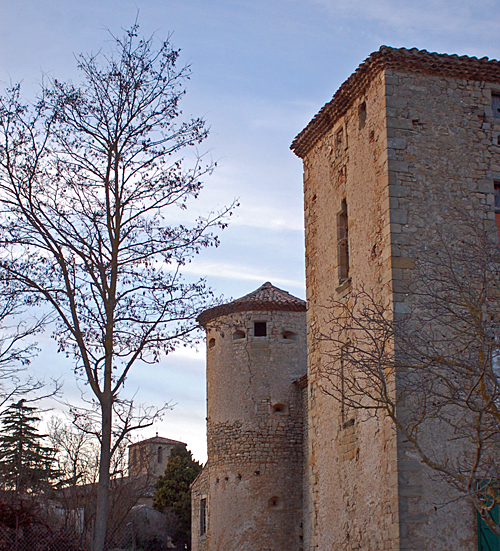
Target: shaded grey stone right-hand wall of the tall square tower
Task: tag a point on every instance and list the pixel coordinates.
(443, 157)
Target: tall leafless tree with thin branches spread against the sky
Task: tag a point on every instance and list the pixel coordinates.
(88, 176)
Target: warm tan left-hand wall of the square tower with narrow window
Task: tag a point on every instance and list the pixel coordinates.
(353, 462)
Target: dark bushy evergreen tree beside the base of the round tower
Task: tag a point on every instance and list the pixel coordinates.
(173, 491)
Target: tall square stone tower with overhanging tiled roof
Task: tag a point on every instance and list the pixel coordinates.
(406, 136)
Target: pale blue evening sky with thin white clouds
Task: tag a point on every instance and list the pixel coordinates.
(260, 71)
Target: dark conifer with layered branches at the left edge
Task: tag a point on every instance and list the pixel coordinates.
(25, 463)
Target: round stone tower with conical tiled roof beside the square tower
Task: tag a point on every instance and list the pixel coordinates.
(249, 495)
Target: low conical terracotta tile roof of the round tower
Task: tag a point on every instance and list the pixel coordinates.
(266, 298)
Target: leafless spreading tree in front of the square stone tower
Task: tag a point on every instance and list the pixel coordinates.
(433, 369)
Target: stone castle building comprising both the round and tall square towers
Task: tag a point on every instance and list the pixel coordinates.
(409, 133)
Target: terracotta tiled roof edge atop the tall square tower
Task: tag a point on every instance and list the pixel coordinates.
(400, 59)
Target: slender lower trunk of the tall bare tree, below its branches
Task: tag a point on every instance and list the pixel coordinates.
(101, 520)
